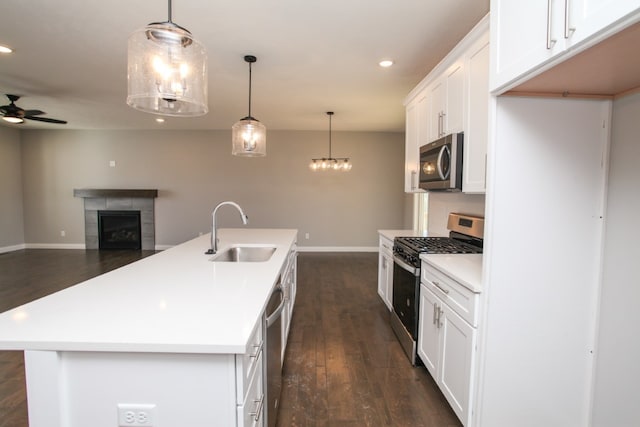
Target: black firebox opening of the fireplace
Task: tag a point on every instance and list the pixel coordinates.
(119, 230)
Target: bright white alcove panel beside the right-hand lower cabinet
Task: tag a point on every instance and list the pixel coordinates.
(542, 262)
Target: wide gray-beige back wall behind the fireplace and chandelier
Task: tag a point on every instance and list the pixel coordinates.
(194, 170)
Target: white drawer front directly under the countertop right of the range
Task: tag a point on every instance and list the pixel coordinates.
(458, 297)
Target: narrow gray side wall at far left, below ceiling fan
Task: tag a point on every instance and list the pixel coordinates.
(11, 224)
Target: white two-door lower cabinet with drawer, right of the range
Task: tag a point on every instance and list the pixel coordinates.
(446, 341)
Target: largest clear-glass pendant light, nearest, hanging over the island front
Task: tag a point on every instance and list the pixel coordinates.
(167, 71)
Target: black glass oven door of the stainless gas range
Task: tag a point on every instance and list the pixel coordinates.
(406, 288)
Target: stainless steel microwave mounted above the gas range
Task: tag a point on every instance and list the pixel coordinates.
(441, 163)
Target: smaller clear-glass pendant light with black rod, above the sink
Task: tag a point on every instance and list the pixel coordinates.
(248, 135)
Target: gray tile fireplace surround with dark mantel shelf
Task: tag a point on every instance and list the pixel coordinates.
(118, 200)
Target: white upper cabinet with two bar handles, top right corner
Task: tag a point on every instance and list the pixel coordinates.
(527, 36)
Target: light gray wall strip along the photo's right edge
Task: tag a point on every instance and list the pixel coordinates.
(617, 367)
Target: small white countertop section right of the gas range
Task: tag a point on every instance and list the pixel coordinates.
(464, 268)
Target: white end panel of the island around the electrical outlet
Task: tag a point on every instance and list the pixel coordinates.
(84, 388)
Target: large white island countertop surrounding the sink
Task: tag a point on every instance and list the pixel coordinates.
(176, 301)
